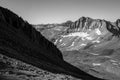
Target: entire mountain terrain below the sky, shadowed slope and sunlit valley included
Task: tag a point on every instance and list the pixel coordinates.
(87, 49)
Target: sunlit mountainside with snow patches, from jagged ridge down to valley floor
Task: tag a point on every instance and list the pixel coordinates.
(92, 43)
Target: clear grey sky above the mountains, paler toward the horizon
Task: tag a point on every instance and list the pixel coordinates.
(58, 11)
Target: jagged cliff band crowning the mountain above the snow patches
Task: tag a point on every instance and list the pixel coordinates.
(89, 23)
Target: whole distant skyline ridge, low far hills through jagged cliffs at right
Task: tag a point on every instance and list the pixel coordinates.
(84, 23)
